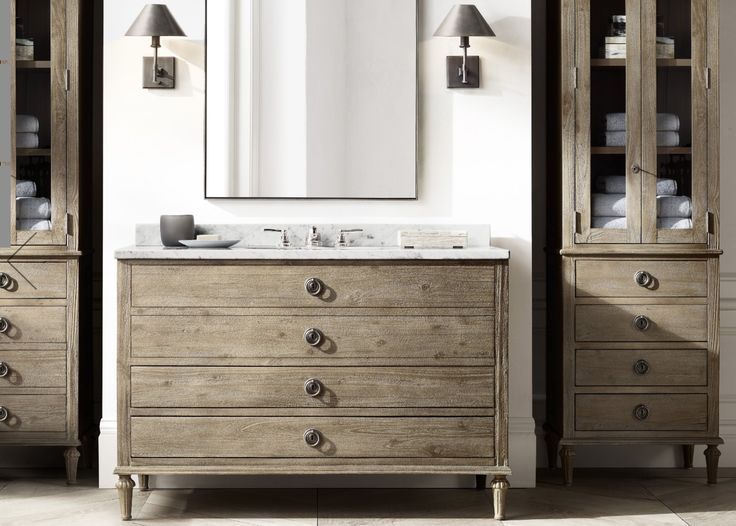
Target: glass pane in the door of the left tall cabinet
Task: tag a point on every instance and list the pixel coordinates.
(33, 115)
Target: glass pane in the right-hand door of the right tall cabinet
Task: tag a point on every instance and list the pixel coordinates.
(674, 115)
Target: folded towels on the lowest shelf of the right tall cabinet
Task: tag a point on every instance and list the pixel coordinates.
(674, 212)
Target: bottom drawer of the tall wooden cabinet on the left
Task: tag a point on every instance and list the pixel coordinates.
(36, 413)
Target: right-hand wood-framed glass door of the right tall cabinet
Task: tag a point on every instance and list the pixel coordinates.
(674, 121)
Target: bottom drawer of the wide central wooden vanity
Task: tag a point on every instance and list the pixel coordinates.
(265, 437)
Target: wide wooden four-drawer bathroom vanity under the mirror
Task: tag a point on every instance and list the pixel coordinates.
(313, 361)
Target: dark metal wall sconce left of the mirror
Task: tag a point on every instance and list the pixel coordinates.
(156, 21)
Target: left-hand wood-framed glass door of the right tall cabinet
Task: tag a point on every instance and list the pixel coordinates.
(608, 122)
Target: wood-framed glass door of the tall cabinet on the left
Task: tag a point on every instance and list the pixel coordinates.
(40, 123)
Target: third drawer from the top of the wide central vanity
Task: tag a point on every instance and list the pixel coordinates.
(377, 387)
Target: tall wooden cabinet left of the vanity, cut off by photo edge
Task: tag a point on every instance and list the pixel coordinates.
(39, 272)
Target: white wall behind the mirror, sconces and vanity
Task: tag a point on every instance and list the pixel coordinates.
(474, 167)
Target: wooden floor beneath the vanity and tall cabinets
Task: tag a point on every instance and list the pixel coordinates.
(654, 497)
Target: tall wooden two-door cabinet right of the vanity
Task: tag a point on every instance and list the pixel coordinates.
(635, 356)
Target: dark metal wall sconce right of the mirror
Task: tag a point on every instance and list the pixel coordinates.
(464, 21)
